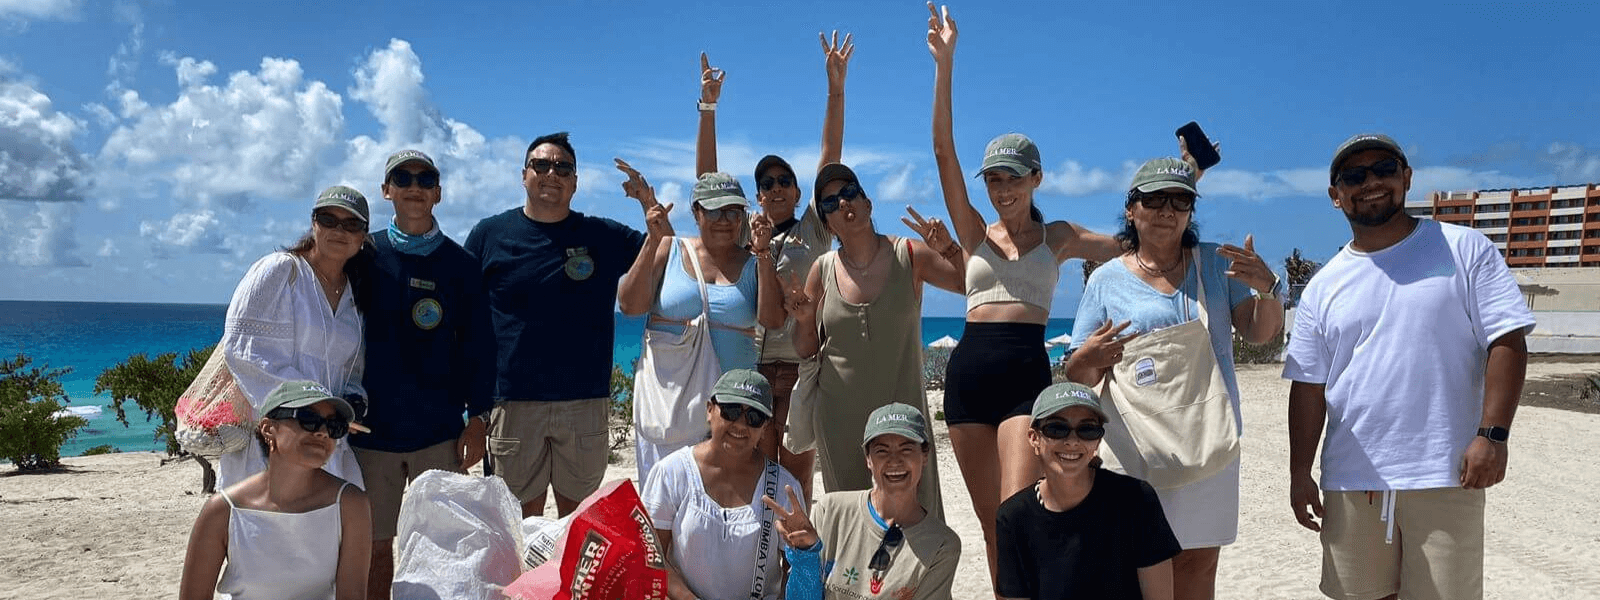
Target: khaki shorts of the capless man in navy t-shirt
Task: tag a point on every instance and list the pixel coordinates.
(537, 446)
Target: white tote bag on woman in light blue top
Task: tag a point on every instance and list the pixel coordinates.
(676, 374)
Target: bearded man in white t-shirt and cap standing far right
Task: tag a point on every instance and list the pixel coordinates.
(1410, 346)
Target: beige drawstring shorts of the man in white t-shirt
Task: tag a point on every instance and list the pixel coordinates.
(1438, 550)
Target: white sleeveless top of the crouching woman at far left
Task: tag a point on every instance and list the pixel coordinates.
(290, 556)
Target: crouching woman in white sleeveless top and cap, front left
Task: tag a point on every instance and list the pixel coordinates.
(292, 530)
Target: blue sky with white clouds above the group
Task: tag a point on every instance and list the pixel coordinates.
(151, 151)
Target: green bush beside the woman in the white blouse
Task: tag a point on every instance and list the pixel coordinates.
(153, 388)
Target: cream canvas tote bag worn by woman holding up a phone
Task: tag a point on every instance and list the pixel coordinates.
(1169, 417)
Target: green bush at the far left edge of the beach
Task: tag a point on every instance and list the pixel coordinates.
(33, 426)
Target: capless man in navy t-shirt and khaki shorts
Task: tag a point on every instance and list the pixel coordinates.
(551, 278)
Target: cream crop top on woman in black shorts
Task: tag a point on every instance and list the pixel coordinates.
(1031, 279)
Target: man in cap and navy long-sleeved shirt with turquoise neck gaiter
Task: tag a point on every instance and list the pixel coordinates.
(428, 354)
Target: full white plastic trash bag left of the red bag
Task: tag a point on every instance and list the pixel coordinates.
(460, 538)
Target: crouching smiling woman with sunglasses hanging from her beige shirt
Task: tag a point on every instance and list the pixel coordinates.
(876, 542)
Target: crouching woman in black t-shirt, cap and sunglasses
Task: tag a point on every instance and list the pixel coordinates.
(1082, 532)
